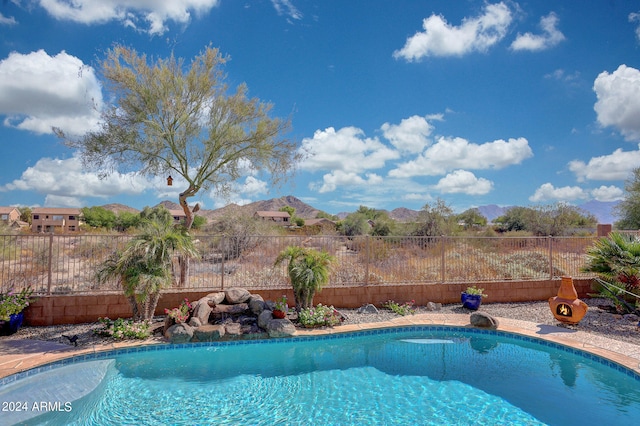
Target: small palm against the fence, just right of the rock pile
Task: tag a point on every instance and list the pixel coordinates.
(308, 271)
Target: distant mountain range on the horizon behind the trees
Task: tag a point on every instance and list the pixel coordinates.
(603, 211)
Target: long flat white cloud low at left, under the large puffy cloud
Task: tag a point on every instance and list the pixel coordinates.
(66, 178)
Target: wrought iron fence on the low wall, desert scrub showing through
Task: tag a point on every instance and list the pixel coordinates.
(54, 264)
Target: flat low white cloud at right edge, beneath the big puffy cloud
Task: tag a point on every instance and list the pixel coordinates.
(616, 166)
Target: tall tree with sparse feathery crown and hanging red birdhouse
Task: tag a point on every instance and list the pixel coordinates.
(172, 118)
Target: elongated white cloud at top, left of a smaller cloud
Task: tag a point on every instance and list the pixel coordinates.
(442, 39)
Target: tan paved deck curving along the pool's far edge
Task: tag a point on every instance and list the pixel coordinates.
(17, 355)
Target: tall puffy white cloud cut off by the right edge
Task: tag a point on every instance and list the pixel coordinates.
(618, 102)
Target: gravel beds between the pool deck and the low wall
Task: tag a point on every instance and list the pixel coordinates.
(598, 320)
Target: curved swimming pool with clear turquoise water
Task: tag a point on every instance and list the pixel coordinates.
(410, 375)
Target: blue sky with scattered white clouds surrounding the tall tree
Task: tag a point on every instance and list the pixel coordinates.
(398, 103)
